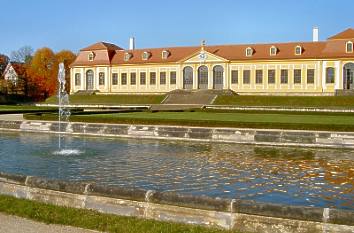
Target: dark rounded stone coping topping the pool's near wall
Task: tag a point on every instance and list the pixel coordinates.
(313, 214)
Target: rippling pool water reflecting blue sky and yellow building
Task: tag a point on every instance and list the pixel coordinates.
(295, 176)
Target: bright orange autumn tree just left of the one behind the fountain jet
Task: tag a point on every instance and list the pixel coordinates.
(43, 73)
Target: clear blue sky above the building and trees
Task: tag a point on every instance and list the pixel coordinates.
(74, 24)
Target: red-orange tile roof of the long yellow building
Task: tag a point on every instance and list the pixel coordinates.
(332, 48)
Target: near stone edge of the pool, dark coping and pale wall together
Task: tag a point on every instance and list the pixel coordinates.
(241, 215)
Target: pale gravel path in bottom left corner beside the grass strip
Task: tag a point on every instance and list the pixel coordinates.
(13, 224)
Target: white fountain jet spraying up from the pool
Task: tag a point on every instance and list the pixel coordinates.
(63, 111)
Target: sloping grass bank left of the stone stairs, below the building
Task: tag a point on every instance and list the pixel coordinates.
(110, 99)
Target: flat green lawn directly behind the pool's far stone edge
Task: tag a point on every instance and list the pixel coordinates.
(304, 121)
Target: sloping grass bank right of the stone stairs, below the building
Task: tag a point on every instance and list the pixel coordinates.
(288, 101)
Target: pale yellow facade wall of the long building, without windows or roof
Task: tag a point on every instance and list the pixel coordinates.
(319, 86)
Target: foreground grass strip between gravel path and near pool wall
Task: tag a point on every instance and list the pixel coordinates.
(93, 220)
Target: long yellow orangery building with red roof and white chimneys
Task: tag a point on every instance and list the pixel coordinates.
(296, 68)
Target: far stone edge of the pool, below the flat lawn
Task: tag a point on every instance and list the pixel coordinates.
(272, 137)
